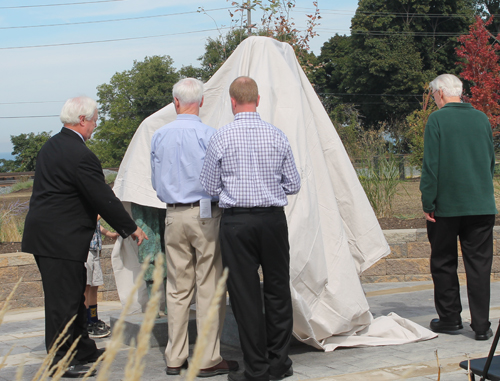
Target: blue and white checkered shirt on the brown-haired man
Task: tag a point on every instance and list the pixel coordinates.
(249, 163)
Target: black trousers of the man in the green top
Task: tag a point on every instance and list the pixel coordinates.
(476, 240)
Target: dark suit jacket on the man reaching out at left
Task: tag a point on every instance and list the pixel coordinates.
(69, 191)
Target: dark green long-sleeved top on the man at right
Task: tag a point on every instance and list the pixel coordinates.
(459, 160)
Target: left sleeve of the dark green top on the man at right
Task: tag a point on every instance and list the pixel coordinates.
(430, 166)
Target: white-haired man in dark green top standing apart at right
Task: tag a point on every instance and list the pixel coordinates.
(458, 200)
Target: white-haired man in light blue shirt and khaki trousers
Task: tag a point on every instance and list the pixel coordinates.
(191, 229)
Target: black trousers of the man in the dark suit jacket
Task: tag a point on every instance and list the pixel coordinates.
(64, 284)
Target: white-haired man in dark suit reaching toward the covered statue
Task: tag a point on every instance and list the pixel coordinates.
(69, 191)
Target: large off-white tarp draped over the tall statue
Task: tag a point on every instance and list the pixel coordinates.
(333, 232)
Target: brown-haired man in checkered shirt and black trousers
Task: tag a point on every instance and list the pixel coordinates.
(249, 164)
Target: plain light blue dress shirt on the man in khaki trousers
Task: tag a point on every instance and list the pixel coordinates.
(177, 155)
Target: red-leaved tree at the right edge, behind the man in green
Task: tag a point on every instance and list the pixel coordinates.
(481, 69)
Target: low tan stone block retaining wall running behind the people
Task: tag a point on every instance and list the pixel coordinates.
(408, 261)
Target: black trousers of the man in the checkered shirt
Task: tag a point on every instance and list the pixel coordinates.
(247, 241)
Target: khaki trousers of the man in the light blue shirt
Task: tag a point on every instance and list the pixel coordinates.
(193, 260)
